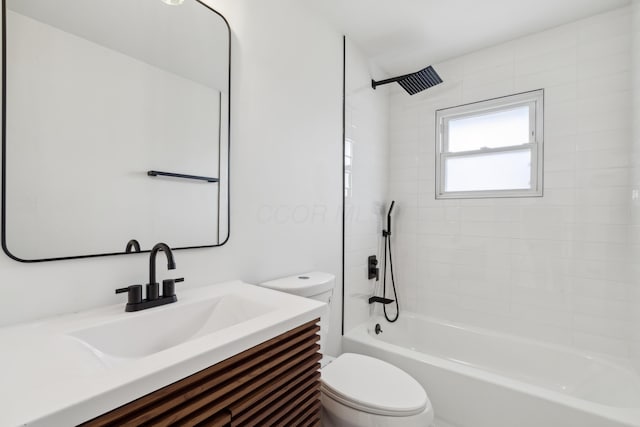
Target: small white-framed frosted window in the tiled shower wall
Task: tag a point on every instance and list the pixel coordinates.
(491, 148)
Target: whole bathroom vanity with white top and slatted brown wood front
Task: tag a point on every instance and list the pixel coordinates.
(226, 354)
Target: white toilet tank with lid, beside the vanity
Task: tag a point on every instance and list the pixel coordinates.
(315, 285)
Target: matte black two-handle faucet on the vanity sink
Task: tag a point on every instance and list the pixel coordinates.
(135, 301)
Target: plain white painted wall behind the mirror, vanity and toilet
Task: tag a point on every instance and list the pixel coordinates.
(285, 165)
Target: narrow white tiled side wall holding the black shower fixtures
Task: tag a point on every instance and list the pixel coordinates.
(366, 130)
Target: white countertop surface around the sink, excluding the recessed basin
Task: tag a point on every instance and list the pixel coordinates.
(48, 378)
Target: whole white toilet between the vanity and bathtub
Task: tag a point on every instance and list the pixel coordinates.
(358, 390)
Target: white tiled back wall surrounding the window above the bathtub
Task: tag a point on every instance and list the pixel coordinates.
(554, 268)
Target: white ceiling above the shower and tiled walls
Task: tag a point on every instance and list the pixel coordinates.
(403, 36)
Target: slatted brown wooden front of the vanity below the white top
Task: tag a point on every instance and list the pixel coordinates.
(274, 383)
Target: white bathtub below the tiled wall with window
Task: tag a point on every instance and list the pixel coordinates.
(479, 378)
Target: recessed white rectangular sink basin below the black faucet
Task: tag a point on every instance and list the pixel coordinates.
(147, 332)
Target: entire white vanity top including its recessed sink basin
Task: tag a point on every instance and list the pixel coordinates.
(66, 369)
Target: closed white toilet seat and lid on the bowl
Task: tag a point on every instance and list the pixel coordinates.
(373, 386)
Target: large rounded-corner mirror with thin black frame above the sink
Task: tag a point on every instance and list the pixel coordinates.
(103, 98)
